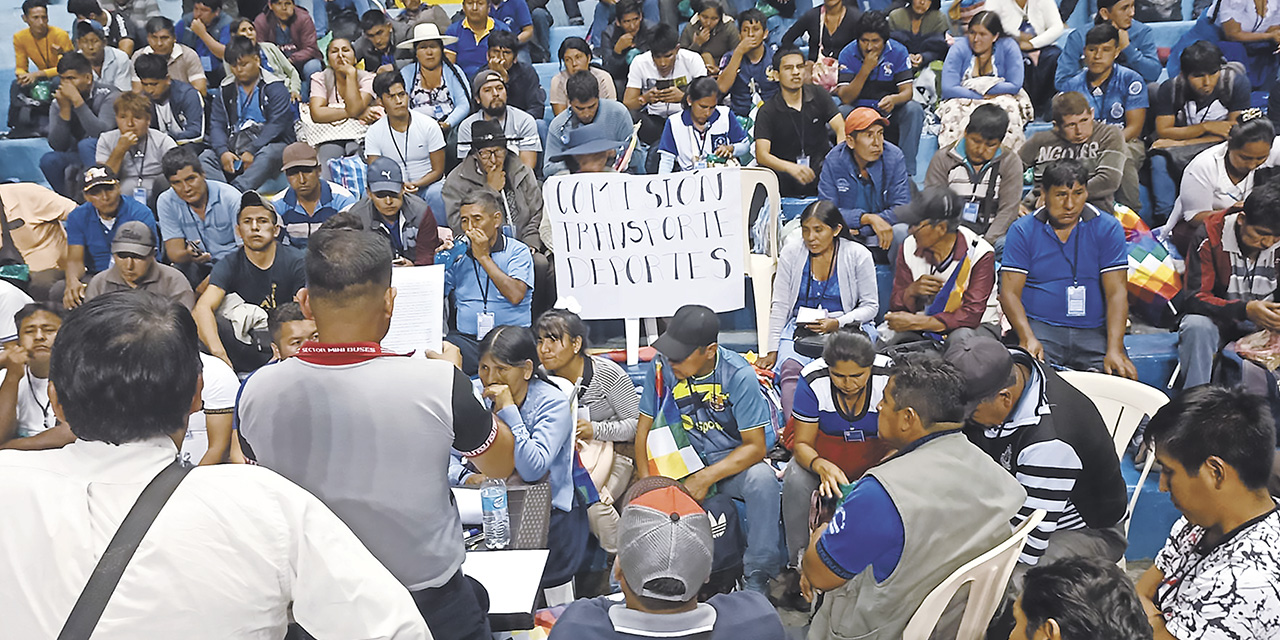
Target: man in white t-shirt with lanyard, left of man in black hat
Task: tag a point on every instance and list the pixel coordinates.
(413, 140)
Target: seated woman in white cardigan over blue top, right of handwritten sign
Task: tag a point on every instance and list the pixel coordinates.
(829, 275)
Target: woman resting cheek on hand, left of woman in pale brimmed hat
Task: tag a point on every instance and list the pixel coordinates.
(340, 94)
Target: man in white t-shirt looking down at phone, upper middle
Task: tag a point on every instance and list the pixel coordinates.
(657, 83)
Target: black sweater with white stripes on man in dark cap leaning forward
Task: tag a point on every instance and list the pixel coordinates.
(1055, 444)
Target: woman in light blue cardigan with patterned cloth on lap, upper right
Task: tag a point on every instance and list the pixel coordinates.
(985, 52)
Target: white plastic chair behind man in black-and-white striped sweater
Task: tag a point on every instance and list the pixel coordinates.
(1123, 405)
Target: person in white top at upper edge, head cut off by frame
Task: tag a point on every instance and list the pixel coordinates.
(1035, 26)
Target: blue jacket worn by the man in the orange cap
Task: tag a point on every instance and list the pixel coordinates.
(888, 175)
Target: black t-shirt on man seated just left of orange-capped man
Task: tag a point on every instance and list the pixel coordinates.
(794, 134)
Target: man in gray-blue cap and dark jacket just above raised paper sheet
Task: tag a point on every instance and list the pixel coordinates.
(404, 220)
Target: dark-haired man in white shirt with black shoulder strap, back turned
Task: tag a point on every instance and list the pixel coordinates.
(235, 550)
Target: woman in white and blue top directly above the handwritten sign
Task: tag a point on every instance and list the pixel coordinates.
(703, 134)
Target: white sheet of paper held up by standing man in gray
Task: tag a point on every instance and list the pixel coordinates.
(418, 321)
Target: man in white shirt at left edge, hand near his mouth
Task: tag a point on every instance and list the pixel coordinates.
(26, 419)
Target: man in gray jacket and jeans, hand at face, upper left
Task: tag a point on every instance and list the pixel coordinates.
(83, 111)
